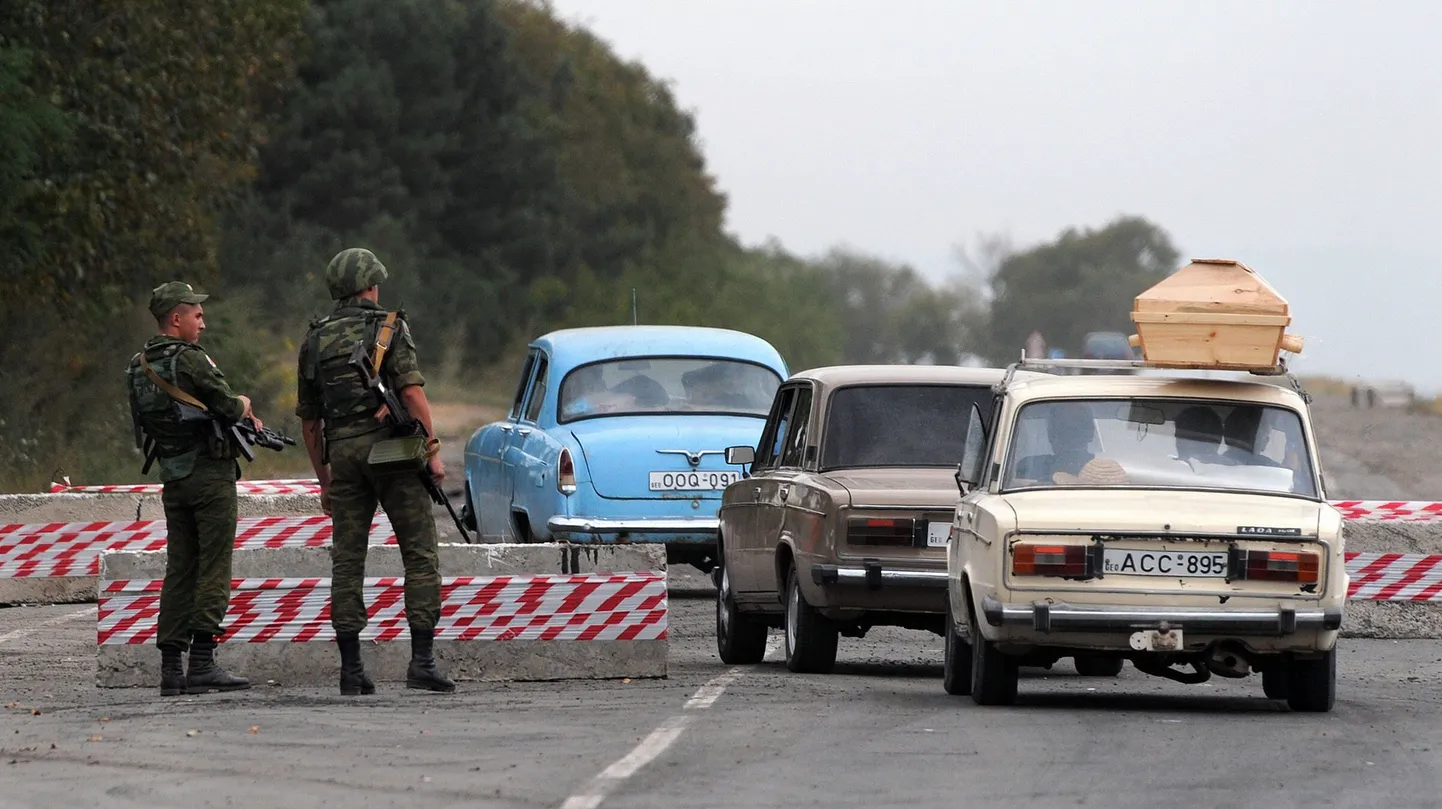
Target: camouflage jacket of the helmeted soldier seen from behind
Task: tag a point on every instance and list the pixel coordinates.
(329, 389)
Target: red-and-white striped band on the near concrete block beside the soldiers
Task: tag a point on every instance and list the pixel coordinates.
(624, 606)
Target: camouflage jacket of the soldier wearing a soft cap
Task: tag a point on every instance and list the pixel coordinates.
(187, 367)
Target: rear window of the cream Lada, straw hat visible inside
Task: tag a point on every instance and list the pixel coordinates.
(1160, 443)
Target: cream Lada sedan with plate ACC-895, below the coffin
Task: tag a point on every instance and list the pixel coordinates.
(1163, 518)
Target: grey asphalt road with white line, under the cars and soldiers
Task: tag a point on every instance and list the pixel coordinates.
(877, 733)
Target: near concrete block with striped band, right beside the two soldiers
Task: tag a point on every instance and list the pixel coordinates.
(510, 614)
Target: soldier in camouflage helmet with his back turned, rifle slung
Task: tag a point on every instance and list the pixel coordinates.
(342, 420)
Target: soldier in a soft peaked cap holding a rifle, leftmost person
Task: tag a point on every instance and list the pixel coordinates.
(198, 477)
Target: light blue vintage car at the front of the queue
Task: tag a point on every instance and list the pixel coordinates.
(618, 435)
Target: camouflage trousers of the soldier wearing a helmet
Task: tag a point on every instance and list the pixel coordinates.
(354, 495)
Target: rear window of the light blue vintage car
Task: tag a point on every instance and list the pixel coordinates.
(668, 386)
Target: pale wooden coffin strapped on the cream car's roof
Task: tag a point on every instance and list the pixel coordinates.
(1213, 314)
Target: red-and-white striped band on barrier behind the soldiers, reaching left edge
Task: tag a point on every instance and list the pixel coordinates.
(73, 549)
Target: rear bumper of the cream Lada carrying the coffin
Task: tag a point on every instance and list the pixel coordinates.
(1071, 618)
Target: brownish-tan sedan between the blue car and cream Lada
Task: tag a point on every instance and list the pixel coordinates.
(843, 518)
